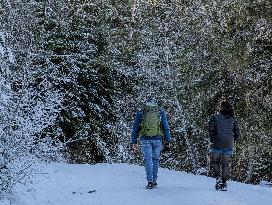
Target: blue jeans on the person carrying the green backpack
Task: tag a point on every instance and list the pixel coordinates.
(151, 150)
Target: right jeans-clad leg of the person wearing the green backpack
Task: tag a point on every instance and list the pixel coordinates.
(157, 146)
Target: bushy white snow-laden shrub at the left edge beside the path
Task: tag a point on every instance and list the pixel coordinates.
(25, 114)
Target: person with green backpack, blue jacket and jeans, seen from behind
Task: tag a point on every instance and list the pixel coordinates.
(151, 125)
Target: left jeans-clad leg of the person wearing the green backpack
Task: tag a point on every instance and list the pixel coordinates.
(148, 162)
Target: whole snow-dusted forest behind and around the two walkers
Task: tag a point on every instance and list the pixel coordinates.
(73, 73)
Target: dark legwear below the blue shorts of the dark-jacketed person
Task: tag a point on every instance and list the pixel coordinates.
(221, 160)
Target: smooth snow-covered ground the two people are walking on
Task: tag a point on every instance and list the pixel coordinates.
(122, 184)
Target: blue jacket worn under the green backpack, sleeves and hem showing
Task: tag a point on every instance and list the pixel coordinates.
(137, 123)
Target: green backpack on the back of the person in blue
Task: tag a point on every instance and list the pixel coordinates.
(151, 123)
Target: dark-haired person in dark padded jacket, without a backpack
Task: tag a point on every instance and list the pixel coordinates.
(223, 132)
